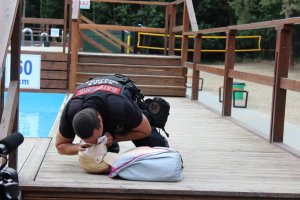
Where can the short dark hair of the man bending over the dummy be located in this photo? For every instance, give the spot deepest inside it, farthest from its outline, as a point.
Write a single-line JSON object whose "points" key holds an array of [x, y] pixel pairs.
{"points": [[85, 121]]}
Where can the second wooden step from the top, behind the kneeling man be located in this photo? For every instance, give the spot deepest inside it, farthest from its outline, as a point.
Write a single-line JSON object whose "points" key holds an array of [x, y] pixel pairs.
{"points": [[130, 69]]}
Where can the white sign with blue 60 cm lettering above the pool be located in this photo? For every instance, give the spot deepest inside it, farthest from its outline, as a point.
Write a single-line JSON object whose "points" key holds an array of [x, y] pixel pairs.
{"points": [[30, 71]]}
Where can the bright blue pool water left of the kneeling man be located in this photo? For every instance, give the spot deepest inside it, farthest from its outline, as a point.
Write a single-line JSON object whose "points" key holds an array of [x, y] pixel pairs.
{"points": [[37, 112]]}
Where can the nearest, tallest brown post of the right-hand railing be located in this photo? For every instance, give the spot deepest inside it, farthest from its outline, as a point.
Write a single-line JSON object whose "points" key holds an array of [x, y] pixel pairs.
{"points": [[282, 61]]}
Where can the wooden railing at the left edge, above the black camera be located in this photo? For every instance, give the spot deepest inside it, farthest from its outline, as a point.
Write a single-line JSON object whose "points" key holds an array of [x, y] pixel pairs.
{"points": [[10, 19]]}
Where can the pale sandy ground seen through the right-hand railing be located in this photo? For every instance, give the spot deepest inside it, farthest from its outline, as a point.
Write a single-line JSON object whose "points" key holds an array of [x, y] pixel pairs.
{"points": [[260, 96]]}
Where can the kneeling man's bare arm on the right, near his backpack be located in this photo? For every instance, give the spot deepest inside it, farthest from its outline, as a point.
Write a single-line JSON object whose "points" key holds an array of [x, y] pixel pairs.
{"points": [[142, 131]]}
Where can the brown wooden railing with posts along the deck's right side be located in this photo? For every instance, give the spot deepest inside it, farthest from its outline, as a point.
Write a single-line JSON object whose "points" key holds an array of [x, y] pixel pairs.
{"points": [[280, 81]]}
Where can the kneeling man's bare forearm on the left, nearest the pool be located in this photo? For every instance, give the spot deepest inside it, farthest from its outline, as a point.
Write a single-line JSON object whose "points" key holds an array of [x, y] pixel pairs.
{"points": [[65, 146]]}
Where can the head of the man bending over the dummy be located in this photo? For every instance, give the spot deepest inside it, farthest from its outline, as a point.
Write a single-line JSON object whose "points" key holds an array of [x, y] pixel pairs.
{"points": [[87, 124]]}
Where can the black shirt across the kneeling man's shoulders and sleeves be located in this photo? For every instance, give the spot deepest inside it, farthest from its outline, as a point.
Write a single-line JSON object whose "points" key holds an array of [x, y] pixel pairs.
{"points": [[118, 112]]}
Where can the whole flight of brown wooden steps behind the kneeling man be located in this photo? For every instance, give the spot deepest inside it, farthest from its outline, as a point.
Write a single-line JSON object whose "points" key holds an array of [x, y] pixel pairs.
{"points": [[156, 75]]}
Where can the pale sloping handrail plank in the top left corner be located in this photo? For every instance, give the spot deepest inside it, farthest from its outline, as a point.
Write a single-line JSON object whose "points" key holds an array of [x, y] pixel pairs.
{"points": [[8, 12]]}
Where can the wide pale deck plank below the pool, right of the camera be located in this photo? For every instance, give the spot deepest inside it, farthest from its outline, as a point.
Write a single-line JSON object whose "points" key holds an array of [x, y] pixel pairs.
{"points": [[29, 170]]}
